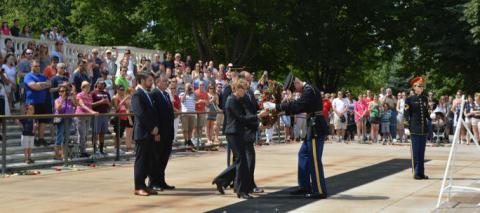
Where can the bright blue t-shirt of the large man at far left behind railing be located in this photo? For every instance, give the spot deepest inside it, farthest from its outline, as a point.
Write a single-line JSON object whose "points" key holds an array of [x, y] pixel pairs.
{"points": [[35, 96]]}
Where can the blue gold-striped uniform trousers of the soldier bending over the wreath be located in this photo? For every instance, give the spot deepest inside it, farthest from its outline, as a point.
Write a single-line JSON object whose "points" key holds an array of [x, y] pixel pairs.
{"points": [[310, 167]]}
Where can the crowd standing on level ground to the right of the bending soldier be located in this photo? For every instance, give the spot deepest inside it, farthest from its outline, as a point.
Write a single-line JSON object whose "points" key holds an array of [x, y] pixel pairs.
{"points": [[379, 117]]}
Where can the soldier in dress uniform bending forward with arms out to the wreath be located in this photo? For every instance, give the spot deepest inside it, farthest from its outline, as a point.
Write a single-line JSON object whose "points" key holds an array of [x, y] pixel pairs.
{"points": [[311, 179]]}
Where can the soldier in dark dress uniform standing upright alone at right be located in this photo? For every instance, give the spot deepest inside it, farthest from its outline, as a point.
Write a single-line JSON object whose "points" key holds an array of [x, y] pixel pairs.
{"points": [[417, 116]]}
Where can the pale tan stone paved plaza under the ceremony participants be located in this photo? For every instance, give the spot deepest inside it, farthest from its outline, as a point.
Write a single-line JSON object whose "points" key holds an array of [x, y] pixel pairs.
{"points": [[360, 178]]}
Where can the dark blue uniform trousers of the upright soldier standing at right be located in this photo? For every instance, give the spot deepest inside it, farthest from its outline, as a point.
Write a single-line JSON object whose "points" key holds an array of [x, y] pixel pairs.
{"points": [[418, 150]]}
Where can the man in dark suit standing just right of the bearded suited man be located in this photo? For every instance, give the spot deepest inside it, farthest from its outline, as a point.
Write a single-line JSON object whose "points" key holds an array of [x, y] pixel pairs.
{"points": [[163, 147]]}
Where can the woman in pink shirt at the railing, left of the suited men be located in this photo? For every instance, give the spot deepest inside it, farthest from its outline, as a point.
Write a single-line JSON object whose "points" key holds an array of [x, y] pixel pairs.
{"points": [[84, 106]]}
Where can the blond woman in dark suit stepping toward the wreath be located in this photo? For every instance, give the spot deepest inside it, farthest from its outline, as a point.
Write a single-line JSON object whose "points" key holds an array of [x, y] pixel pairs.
{"points": [[237, 121]]}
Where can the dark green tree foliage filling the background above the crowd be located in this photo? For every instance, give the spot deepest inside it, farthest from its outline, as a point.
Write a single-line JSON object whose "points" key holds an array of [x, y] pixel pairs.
{"points": [[336, 44]]}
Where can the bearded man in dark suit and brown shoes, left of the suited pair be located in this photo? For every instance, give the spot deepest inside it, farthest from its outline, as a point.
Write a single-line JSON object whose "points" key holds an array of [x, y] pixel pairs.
{"points": [[144, 130]]}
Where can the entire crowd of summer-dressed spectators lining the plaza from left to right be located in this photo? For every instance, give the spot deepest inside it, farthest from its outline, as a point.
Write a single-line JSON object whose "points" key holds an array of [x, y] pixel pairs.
{"points": [[37, 82]]}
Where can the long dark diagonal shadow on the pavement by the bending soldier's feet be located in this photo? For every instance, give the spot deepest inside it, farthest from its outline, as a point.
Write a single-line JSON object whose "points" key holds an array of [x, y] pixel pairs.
{"points": [[282, 201]]}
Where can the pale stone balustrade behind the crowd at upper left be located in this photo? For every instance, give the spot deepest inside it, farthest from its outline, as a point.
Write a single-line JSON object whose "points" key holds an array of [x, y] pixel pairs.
{"points": [[70, 50]]}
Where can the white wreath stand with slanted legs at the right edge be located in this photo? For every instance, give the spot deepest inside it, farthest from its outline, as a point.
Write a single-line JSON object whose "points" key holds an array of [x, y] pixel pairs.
{"points": [[449, 169]]}
